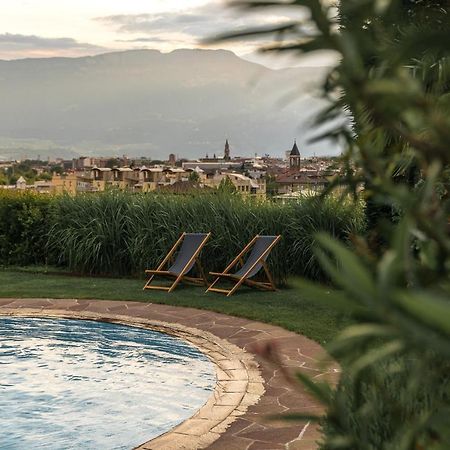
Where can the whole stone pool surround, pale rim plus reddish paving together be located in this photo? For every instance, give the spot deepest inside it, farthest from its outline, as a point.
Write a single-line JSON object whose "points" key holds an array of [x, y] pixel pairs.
{"points": [[248, 390]]}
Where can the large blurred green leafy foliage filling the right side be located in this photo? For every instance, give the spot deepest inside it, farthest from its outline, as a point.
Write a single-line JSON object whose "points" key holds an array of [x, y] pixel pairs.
{"points": [[393, 76]]}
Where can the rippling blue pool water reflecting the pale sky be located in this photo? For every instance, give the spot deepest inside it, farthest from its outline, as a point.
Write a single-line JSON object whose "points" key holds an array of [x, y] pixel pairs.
{"points": [[73, 384]]}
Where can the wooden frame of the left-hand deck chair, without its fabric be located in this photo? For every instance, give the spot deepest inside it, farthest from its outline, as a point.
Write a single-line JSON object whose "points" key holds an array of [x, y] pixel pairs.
{"points": [[181, 276]]}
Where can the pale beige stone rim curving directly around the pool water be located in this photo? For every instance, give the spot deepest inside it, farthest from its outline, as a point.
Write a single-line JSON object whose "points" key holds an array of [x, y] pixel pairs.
{"points": [[239, 382]]}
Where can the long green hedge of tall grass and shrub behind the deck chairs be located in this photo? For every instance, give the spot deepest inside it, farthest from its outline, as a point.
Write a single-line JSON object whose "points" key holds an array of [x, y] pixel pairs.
{"points": [[118, 233]]}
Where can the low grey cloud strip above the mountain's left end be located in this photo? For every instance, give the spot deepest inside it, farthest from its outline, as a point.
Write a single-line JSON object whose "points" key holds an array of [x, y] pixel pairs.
{"points": [[37, 45]]}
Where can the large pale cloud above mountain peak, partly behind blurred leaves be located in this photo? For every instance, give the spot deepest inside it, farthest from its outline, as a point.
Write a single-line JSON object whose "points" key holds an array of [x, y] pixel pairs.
{"points": [[167, 30]]}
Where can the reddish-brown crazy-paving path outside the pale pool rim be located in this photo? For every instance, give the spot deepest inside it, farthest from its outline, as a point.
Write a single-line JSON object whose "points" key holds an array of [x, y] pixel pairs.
{"points": [[252, 431]]}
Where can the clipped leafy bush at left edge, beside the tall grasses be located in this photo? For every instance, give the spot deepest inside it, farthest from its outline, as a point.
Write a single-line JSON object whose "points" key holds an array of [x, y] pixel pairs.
{"points": [[24, 226]]}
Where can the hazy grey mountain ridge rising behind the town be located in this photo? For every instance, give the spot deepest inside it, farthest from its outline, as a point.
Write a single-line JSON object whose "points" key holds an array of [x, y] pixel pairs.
{"points": [[146, 103]]}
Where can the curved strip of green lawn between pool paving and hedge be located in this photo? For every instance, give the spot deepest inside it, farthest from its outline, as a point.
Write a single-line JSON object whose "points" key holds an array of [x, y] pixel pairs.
{"points": [[288, 307]]}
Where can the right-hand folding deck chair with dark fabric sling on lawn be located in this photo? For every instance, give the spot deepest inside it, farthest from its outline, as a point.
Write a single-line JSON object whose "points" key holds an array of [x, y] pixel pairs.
{"points": [[262, 246]]}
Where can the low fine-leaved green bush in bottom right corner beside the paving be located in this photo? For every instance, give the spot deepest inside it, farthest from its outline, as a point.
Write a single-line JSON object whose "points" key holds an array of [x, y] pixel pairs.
{"points": [[381, 410]]}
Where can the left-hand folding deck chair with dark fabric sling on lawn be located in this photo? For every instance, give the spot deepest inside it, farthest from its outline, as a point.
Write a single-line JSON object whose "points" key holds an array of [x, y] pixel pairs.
{"points": [[186, 259]]}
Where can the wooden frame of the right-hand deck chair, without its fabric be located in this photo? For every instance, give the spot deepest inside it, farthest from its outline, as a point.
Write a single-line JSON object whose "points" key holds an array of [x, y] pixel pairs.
{"points": [[268, 285]]}
